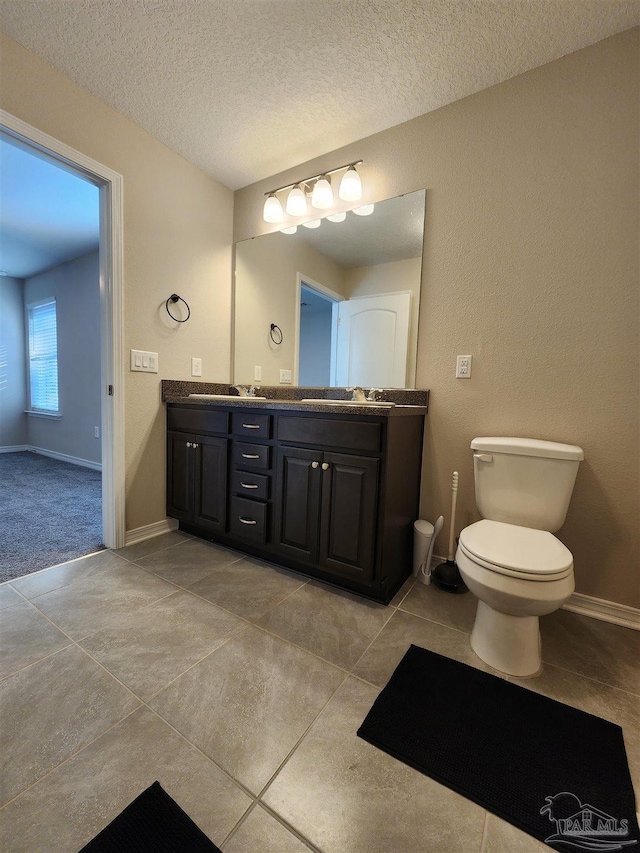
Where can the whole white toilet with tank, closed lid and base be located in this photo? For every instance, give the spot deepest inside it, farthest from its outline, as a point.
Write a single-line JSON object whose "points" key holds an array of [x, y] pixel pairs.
{"points": [[510, 560]]}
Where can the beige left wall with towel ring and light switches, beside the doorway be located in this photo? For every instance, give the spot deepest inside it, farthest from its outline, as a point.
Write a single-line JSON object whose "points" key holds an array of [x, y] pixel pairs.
{"points": [[177, 238]]}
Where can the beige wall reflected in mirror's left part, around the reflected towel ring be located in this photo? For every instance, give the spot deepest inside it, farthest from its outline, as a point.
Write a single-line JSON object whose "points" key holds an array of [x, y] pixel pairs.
{"points": [[266, 281]]}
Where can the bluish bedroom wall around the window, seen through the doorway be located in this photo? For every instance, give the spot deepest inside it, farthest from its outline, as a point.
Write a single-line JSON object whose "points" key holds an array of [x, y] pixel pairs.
{"points": [[76, 289]]}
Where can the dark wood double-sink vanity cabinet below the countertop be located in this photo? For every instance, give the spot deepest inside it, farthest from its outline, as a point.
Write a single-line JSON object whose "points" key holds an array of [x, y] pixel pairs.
{"points": [[333, 496]]}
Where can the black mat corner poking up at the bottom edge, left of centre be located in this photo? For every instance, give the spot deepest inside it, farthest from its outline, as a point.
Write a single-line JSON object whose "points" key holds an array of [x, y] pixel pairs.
{"points": [[152, 823]]}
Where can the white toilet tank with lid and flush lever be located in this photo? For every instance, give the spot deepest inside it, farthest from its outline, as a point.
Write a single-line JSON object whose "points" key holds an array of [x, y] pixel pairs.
{"points": [[524, 481]]}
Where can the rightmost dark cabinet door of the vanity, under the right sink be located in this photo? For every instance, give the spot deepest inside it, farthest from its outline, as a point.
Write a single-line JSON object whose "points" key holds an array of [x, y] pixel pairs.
{"points": [[348, 515]]}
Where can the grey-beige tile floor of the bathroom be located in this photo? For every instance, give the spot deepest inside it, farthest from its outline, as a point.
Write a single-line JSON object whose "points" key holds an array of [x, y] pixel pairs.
{"points": [[240, 687]]}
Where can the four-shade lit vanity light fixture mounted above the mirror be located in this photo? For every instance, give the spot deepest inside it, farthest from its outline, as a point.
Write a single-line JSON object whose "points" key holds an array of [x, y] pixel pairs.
{"points": [[319, 188]]}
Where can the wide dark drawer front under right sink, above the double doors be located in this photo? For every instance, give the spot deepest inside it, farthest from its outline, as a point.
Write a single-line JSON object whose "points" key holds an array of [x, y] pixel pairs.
{"points": [[352, 435]]}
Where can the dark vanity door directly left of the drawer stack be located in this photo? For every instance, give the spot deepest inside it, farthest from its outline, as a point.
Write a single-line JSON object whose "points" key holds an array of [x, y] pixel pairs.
{"points": [[210, 493]]}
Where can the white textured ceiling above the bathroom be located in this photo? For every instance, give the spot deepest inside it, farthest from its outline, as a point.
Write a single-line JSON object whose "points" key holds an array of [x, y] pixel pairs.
{"points": [[248, 88]]}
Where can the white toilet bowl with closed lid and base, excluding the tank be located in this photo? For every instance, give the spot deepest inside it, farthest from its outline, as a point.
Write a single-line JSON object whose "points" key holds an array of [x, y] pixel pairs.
{"points": [[518, 574]]}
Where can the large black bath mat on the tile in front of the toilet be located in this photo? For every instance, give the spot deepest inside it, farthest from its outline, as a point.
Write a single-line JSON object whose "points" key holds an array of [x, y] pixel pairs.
{"points": [[553, 771]]}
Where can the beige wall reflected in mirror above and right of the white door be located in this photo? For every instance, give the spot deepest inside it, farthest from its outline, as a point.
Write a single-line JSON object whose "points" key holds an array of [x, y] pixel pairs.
{"points": [[389, 278]]}
